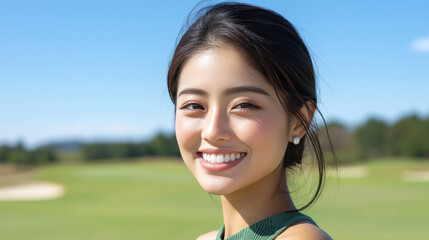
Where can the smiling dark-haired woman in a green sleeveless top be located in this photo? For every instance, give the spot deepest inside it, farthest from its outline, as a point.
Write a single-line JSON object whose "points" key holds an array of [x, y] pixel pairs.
{"points": [[243, 86]]}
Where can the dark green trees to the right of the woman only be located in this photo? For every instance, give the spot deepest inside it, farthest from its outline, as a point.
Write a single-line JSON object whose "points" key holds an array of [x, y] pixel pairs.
{"points": [[408, 137]]}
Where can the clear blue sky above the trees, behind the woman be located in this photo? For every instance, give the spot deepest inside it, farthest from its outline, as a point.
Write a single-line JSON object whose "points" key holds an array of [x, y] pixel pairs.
{"points": [[96, 70]]}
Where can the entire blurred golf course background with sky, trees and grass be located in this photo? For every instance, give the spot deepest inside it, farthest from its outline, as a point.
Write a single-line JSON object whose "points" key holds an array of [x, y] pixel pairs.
{"points": [[87, 145]]}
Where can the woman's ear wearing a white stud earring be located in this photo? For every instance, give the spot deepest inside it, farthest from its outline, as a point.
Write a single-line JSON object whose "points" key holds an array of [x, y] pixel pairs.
{"points": [[298, 129]]}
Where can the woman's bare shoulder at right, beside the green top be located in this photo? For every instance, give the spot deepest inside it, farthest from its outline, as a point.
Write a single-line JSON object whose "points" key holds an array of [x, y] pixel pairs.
{"points": [[303, 231]]}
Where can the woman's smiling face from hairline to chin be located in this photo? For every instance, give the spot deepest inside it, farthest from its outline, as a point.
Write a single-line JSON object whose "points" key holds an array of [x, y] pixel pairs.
{"points": [[230, 126]]}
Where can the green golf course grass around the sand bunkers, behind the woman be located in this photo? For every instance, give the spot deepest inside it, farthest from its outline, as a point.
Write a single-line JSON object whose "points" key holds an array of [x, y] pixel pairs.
{"points": [[161, 200]]}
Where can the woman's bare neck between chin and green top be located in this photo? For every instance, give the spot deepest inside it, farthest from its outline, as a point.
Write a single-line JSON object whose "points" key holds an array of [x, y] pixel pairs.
{"points": [[254, 203]]}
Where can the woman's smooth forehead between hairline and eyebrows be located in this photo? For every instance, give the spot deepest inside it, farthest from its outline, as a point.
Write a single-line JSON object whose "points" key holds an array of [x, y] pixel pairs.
{"points": [[220, 67]]}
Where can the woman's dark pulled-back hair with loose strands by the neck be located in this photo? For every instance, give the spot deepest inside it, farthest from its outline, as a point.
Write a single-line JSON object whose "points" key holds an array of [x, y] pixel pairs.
{"points": [[272, 46]]}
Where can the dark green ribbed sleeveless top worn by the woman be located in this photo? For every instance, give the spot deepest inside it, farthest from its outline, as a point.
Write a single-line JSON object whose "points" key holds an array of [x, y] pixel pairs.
{"points": [[268, 228]]}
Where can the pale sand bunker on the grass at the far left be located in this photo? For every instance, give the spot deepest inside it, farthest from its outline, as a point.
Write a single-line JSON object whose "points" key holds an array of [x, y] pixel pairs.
{"points": [[31, 191]]}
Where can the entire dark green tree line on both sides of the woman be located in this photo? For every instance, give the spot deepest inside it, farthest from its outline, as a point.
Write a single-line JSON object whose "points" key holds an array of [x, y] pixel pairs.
{"points": [[408, 137]]}
